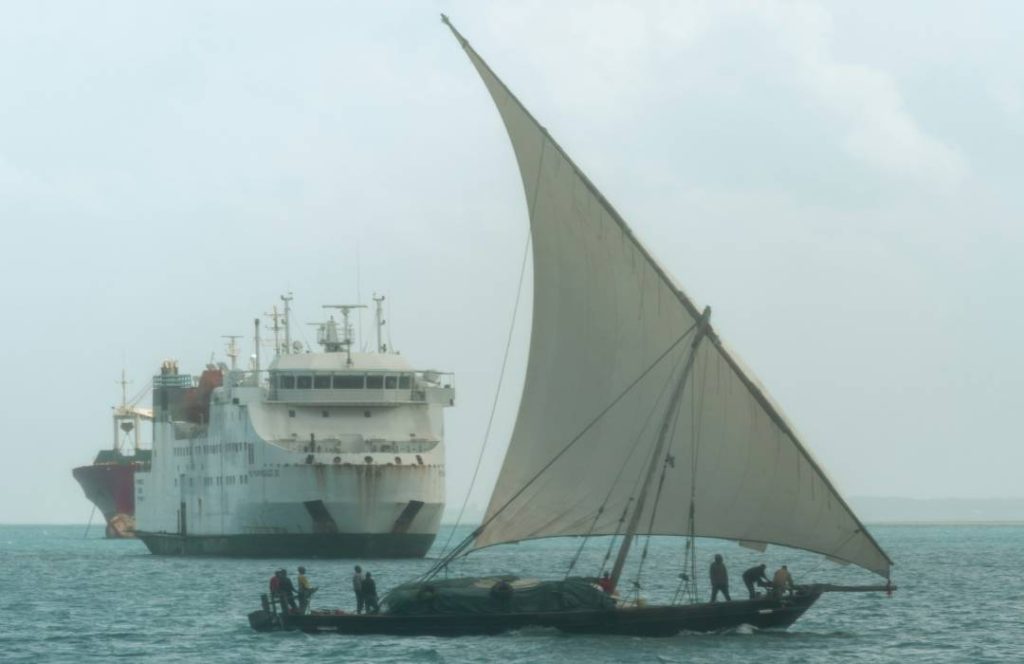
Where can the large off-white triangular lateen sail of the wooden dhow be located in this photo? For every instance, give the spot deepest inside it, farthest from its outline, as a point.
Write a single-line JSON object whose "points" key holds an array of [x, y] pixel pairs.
{"points": [[610, 324]]}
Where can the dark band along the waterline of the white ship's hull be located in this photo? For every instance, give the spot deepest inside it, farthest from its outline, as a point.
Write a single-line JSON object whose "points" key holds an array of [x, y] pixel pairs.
{"points": [[334, 546]]}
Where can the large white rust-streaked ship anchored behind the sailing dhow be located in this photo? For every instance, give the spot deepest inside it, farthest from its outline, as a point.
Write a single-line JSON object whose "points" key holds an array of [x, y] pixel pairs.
{"points": [[334, 453]]}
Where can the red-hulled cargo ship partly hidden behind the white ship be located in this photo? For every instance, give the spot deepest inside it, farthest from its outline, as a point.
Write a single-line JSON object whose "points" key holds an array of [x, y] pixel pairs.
{"points": [[110, 481]]}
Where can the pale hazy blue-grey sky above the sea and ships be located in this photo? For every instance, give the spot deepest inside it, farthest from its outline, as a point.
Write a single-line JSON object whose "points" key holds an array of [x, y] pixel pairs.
{"points": [[840, 182]]}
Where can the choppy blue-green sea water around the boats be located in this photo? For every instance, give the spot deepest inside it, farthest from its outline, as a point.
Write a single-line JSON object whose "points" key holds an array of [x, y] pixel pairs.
{"points": [[73, 599]]}
